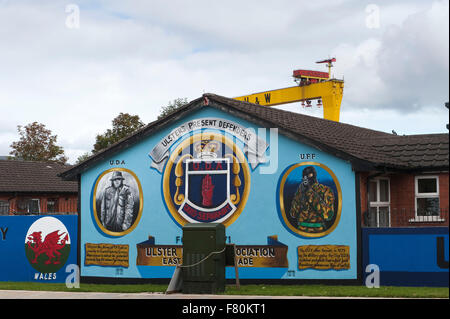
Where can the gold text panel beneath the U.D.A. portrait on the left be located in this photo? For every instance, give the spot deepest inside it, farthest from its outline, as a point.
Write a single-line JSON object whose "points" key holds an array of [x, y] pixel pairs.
{"points": [[107, 255]]}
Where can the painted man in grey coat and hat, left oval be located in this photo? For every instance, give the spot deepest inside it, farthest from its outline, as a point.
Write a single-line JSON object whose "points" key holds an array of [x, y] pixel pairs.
{"points": [[117, 203]]}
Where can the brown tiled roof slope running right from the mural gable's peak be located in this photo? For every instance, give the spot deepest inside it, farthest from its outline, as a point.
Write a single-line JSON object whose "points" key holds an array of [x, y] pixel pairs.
{"points": [[376, 147]]}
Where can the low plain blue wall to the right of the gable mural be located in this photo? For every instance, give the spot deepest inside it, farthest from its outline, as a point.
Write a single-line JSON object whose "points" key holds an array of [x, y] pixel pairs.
{"points": [[408, 256]]}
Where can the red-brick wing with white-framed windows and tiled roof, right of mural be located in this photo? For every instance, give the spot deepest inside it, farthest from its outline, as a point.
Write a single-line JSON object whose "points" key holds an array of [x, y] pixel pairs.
{"points": [[411, 188]]}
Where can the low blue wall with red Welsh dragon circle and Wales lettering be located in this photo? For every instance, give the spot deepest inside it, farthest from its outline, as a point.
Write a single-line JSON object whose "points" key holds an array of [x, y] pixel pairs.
{"points": [[37, 248]]}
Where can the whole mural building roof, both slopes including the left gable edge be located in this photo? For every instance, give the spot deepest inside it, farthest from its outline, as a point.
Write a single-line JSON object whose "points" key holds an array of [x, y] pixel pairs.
{"points": [[366, 149]]}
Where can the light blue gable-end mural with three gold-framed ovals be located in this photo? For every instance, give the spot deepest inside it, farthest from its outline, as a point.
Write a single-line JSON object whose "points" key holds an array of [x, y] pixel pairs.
{"points": [[212, 168]]}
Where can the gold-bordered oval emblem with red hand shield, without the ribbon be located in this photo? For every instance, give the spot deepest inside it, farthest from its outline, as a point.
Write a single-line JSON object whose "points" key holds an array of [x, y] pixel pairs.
{"points": [[206, 180]]}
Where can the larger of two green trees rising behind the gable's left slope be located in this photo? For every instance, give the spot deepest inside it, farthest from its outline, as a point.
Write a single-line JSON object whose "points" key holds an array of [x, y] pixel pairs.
{"points": [[122, 126]]}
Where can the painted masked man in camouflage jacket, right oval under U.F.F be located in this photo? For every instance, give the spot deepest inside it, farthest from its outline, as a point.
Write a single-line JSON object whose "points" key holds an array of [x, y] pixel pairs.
{"points": [[313, 203]]}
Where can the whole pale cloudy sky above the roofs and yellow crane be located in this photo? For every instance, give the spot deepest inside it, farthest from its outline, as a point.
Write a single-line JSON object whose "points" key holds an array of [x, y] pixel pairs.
{"points": [[75, 65]]}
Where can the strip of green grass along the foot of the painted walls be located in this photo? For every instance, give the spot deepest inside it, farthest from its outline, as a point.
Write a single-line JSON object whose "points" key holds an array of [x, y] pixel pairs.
{"points": [[261, 290]]}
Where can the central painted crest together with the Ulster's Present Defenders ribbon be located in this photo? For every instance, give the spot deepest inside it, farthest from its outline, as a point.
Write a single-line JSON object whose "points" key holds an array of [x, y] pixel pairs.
{"points": [[205, 167]]}
